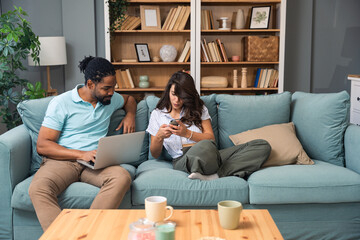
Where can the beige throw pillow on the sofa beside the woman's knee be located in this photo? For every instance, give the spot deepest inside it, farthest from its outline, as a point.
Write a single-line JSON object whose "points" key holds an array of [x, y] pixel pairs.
{"points": [[285, 147]]}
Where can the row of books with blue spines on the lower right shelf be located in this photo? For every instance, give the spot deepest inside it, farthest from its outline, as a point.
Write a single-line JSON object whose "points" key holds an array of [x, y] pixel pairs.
{"points": [[266, 78]]}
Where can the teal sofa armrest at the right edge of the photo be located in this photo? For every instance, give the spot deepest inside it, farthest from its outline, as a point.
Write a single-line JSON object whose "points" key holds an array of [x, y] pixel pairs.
{"points": [[352, 148]]}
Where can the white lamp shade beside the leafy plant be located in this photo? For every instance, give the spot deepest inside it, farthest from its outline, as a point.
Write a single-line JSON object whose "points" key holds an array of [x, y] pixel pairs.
{"points": [[52, 52]]}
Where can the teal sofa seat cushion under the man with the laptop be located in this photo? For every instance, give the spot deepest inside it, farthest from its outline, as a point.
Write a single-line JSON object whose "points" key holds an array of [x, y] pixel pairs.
{"points": [[78, 195]]}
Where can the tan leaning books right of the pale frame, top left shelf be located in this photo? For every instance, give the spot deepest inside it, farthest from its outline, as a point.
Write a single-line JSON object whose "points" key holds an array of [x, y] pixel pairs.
{"points": [[177, 18]]}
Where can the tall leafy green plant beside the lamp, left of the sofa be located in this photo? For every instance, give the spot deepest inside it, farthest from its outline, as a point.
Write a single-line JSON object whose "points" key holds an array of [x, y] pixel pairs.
{"points": [[17, 41]]}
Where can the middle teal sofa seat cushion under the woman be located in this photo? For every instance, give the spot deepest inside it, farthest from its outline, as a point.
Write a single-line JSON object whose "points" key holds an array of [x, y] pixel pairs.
{"points": [[157, 177]]}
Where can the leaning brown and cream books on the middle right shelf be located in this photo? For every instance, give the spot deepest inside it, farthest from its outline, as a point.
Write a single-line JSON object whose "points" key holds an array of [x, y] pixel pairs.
{"points": [[213, 51]]}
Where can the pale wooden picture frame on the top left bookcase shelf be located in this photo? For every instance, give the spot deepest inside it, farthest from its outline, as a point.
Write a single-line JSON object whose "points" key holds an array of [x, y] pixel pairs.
{"points": [[150, 17]]}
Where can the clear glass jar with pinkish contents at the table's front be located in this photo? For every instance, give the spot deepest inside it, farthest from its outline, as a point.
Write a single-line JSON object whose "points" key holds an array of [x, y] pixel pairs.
{"points": [[142, 229]]}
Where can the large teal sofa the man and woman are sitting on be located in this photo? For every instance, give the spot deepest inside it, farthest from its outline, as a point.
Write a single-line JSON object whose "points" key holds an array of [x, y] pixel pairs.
{"points": [[320, 201]]}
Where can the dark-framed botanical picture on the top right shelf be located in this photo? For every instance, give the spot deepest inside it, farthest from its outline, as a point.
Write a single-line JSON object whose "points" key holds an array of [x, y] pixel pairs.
{"points": [[260, 17]]}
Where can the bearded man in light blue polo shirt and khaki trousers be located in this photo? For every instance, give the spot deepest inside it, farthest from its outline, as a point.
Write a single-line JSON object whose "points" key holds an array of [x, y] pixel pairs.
{"points": [[73, 124]]}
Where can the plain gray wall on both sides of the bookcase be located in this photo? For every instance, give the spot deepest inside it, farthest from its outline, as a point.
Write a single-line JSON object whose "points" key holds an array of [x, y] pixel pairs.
{"points": [[322, 40]]}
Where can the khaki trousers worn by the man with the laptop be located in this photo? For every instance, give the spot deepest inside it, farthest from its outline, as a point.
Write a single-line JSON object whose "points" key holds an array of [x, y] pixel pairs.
{"points": [[54, 176]]}
